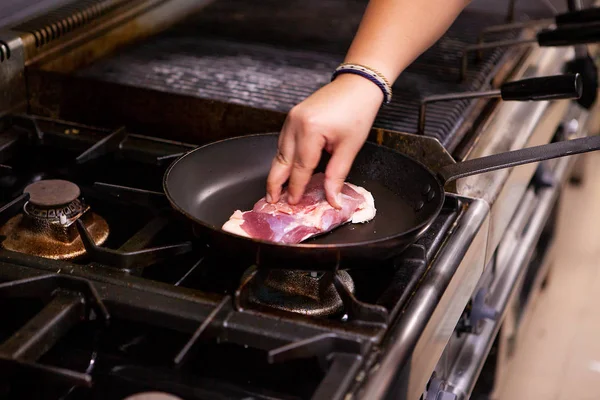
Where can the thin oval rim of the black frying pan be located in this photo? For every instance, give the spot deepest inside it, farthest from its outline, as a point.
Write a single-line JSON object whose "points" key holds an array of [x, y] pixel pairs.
{"points": [[418, 229]]}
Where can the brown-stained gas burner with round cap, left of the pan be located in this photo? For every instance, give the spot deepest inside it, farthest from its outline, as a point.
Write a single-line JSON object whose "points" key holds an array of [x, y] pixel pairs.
{"points": [[47, 228]]}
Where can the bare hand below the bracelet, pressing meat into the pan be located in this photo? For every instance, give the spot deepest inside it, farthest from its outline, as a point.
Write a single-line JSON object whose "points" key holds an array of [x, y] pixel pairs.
{"points": [[337, 118]]}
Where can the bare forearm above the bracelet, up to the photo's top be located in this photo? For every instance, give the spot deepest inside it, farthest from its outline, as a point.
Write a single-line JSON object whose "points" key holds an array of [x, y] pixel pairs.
{"points": [[393, 33]]}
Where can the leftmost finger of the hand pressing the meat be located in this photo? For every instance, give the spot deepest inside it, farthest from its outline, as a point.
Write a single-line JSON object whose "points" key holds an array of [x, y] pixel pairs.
{"points": [[282, 164]]}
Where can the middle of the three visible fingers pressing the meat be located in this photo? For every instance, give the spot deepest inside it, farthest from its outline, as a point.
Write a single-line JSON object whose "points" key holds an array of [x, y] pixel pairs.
{"points": [[306, 158]]}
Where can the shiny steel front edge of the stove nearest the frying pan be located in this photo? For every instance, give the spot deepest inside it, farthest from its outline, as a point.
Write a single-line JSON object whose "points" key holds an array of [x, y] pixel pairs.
{"points": [[416, 341]]}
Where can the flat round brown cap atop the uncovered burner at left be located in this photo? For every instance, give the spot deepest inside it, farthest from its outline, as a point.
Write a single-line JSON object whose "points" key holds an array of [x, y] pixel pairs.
{"points": [[52, 192]]}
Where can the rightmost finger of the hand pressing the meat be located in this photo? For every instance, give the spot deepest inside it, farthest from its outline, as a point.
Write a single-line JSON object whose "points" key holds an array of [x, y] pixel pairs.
{"points": [[337, 170]]}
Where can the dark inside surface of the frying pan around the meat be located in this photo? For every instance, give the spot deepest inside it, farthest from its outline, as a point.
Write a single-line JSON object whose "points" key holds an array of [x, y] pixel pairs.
{"points": [[211, 182]]}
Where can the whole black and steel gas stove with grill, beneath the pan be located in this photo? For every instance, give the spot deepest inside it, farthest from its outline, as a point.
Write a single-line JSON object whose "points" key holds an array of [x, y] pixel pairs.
{"points": [[114, 294]]}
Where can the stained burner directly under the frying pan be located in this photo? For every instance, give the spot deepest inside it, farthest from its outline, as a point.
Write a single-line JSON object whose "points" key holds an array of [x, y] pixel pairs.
{"points": [[308, 293]]}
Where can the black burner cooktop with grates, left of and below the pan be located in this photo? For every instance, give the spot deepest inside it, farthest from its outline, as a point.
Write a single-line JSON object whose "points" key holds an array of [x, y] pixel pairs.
{"points": [[150, 308]]}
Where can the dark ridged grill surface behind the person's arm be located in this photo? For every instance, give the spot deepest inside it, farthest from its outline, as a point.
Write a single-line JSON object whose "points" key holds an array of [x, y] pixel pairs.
{"points": [[271, 55]]}
